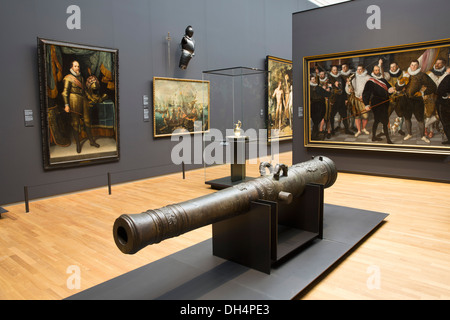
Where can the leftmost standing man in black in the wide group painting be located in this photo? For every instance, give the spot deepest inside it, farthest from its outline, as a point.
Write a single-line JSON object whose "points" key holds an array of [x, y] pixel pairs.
{"points": [[318, 105]]}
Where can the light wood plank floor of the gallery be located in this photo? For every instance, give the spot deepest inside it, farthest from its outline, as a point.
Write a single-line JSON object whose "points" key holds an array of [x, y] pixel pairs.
{"points": [[408, 257]]}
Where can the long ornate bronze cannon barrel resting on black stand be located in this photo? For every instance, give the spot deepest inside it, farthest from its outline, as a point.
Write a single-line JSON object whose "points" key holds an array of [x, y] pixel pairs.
{"points": [[132, 232]]}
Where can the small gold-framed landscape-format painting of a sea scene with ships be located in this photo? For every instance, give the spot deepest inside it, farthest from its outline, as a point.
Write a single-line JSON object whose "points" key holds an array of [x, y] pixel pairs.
{"points": [[180, 106]]}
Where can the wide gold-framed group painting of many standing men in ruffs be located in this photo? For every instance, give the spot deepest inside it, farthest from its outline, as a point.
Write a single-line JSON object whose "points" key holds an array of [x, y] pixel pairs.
{"points": [[389, 99]]}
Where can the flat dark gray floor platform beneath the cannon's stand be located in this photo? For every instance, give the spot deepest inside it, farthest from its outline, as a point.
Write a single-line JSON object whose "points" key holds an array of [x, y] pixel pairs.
{"points": [[195, 274]]}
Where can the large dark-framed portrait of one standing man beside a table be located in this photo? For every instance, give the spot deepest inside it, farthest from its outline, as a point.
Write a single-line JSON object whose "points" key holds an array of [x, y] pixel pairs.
{"points": [[79, 104]]}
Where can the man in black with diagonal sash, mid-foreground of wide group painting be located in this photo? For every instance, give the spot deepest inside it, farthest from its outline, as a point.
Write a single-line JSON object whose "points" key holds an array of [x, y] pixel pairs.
{"points": [[376, 98]]}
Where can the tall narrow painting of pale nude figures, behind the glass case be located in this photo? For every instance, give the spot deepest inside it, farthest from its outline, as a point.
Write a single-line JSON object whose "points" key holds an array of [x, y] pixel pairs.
{"points": [[279, 98]]}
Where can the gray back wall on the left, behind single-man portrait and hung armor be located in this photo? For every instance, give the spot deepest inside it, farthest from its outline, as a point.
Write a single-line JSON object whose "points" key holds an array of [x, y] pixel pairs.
{"points": [[227, 33]]}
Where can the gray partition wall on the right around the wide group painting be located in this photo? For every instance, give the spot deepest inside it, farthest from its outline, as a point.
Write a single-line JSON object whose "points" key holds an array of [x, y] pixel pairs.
{"points": [[342, 28]]}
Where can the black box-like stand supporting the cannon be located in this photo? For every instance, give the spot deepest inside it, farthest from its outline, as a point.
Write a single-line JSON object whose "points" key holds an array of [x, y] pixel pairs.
{"points": [[271, 232]]}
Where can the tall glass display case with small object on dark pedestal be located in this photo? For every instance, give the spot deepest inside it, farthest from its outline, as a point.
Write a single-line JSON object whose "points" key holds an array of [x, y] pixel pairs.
{"points": [[237, 140]]}
